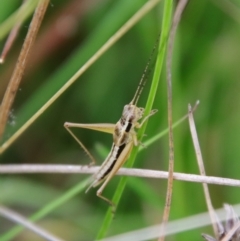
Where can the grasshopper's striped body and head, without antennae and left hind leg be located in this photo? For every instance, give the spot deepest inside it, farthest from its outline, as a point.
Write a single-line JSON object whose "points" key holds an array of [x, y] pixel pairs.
{"points": [[124, 137]]}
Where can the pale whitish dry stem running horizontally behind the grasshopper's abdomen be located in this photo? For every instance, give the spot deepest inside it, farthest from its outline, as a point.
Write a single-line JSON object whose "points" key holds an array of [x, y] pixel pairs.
{"points": [[78, 169]]}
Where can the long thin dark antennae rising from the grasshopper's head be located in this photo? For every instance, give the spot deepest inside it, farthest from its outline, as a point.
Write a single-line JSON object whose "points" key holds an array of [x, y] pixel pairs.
{"points": [[144, 78]]}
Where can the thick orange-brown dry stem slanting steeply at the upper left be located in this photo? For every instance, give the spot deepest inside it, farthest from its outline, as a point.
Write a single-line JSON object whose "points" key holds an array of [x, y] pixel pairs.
{"points": [[14, 83]]}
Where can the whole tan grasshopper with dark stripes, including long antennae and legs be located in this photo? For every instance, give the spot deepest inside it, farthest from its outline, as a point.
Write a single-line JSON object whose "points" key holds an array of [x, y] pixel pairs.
{"points": [[124, 138]]}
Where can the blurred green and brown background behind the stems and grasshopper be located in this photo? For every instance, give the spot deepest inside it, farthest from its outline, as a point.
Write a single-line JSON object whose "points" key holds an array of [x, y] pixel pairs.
{"points": [[205, 67]]}
